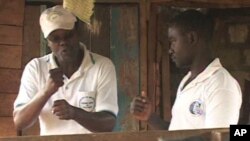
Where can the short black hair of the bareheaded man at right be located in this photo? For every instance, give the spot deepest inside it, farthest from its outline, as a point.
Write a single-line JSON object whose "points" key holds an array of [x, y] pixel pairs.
{"points": [[194, 20]]}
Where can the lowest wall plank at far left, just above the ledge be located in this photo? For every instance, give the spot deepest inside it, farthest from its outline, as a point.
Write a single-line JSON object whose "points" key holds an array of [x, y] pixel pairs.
{"points": [[7, 127]]}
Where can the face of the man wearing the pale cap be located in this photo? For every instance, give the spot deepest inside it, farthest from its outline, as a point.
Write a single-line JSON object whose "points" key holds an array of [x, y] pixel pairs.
{"points": [[64, 44]]}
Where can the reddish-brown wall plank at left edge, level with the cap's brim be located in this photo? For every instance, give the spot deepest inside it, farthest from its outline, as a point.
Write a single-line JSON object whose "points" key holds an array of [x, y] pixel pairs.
{"points": [[11, 35]]}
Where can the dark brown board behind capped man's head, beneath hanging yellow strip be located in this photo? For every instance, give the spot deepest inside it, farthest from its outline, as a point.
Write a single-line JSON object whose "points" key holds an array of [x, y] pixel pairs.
{"points": [[100, 35]]}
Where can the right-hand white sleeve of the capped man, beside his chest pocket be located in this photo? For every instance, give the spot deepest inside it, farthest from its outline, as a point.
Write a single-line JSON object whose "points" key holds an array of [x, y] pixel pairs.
{"points": [[106, 99]]}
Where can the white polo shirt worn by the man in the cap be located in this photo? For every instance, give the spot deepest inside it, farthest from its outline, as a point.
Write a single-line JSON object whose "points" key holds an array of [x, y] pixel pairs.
{"points": [[93, 87]]}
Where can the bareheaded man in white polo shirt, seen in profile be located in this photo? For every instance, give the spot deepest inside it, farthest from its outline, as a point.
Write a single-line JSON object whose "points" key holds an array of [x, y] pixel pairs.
{"points": [[208, 96]]}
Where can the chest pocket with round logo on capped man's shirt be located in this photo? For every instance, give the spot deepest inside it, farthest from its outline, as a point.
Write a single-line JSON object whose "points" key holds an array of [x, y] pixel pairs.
{"points": [[87, 101]]}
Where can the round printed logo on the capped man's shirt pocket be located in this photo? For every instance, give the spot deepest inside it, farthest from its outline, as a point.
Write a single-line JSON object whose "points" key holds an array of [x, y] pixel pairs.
{"points": [[87, 103]]}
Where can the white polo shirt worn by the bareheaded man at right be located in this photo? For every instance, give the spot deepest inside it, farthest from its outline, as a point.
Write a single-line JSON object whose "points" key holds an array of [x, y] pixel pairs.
{"points": [[212, 100]]}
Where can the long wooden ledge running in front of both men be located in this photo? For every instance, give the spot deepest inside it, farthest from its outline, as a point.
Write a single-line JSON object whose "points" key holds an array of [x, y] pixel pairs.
{"points": [[205, 134]]}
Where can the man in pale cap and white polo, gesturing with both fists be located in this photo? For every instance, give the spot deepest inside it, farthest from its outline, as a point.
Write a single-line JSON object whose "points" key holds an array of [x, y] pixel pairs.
{"points": [[71, 90]]}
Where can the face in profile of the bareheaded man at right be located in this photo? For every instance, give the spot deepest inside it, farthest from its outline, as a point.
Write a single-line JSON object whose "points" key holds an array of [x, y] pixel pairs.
{"points": [[180, 48]]}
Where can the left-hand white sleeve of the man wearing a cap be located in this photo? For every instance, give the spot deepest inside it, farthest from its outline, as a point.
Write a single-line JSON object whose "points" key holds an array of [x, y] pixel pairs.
{"points": [[28, 87]]}
